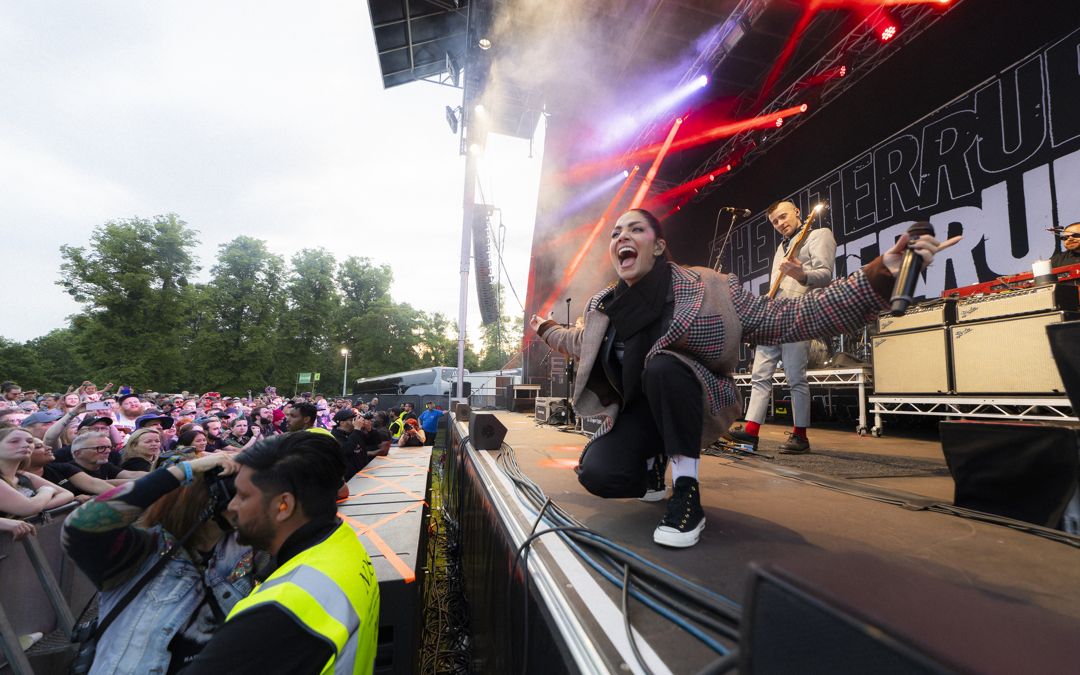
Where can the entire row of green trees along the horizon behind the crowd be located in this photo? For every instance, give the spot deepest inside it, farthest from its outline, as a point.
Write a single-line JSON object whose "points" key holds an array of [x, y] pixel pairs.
{"points": [[258, 322]]}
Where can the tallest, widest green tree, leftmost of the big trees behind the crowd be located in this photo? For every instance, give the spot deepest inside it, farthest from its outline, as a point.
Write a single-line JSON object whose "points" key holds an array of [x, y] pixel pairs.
{"points": [[132, 281]]}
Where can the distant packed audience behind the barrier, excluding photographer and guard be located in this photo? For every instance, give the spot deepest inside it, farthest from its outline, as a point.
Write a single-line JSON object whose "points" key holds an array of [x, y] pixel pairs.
{"points": [[83, 443]]}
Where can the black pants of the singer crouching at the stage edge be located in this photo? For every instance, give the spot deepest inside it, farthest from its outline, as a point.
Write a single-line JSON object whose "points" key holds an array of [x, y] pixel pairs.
{"points": [[667, 421]]}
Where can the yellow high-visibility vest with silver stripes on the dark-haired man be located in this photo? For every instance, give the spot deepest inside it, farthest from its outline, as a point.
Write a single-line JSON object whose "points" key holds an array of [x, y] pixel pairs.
{"points": [[332, 590]]}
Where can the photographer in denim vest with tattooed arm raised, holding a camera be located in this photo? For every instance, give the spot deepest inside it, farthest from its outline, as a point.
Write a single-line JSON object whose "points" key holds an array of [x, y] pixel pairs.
{"points": [[168, 565]]}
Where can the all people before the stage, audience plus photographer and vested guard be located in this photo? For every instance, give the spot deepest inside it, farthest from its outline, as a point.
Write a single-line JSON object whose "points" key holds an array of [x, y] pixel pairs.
{"points": [[146, 467]]}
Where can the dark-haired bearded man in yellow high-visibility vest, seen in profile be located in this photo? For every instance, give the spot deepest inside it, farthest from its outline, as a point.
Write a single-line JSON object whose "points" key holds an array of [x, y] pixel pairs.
{"points": [[319, 612]]}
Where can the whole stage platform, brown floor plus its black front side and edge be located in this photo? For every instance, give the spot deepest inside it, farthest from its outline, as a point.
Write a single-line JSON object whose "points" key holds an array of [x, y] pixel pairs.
{"points": [[758, 511]]}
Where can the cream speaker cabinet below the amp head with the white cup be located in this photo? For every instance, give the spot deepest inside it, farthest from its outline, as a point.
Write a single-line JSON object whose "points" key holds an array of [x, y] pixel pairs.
{"points": [[1006, 356]]}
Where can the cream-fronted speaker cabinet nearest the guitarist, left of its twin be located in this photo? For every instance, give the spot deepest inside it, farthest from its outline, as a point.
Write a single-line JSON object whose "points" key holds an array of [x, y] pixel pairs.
{"points": [[912, 363]]}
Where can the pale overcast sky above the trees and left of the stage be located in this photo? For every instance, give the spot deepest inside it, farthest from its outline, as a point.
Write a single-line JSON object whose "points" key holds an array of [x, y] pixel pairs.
{"points": [[261, 118]]}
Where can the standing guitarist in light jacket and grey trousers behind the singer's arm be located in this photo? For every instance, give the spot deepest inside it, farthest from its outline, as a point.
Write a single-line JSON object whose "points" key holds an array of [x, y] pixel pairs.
{"points": [[811, 267]]}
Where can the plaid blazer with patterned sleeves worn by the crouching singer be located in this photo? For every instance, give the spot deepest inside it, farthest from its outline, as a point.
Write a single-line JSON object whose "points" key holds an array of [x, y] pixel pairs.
{"points": [[713, 314]]}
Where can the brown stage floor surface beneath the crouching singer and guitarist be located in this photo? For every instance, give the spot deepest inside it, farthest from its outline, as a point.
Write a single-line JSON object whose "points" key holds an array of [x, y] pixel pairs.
{"points": [[760, 511]]}
